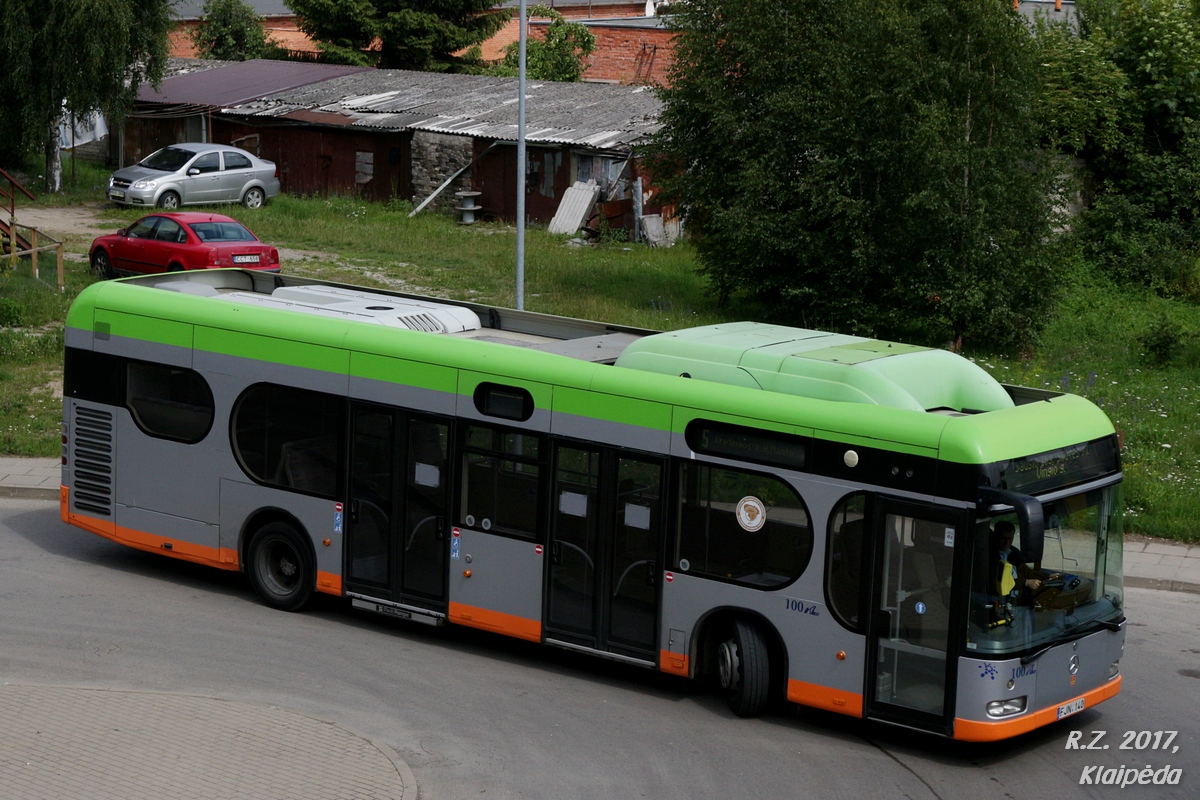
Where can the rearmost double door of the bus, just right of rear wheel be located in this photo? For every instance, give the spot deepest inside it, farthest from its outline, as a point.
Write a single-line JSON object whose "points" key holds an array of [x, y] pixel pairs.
{"points": [[398, 512]]}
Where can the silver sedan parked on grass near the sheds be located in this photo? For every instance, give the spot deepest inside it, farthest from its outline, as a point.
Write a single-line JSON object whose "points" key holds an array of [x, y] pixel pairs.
{"points": [[195, 175]]}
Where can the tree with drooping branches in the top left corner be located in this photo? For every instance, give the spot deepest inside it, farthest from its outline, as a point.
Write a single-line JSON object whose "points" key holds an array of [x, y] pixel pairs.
{"points": [[76, 57]]}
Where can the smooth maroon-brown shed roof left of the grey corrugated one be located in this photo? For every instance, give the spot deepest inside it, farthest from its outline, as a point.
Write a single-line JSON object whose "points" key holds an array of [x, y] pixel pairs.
{"points": [[238, 82]]}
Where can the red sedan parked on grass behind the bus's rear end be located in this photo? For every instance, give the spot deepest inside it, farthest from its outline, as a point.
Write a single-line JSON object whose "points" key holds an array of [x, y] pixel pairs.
{"points": [[175, 242]]}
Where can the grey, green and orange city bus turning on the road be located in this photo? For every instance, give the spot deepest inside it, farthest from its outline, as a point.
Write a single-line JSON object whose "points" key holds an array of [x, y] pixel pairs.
{"points": [[793, 516]]}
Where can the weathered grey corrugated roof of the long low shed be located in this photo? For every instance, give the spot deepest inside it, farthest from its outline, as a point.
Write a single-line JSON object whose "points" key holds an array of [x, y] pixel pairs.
{"points": [[604, 117]]}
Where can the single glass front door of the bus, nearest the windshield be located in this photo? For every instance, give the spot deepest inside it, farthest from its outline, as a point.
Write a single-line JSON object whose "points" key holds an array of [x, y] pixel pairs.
{"points": [[911, 670]]}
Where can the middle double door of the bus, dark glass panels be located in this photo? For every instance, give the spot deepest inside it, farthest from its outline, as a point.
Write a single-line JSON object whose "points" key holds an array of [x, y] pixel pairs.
{"points": [[604, 546]]}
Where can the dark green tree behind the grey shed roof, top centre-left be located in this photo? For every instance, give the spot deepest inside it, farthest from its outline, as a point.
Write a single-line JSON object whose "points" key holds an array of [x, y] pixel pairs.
{"points": [[399, 34]]}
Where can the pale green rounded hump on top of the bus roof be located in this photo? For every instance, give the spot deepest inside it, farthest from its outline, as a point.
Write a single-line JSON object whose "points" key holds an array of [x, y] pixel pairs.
{"points": [[823, 366]]}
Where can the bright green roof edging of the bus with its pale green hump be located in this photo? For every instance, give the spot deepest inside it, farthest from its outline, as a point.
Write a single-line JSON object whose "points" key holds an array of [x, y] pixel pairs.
{"points": [[839, 381]]}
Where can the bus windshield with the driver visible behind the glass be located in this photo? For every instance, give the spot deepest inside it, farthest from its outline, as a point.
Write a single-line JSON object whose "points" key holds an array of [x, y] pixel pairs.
{"points": [[1018, 605]]}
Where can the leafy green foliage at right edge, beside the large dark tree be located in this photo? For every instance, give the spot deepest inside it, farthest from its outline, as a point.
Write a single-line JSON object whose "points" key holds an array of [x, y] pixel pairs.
{"points": [[1143, 227]]}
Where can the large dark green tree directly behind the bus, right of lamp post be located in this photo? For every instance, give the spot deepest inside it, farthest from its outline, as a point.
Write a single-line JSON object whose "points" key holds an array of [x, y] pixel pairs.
{"points": [[865, 166]]}
